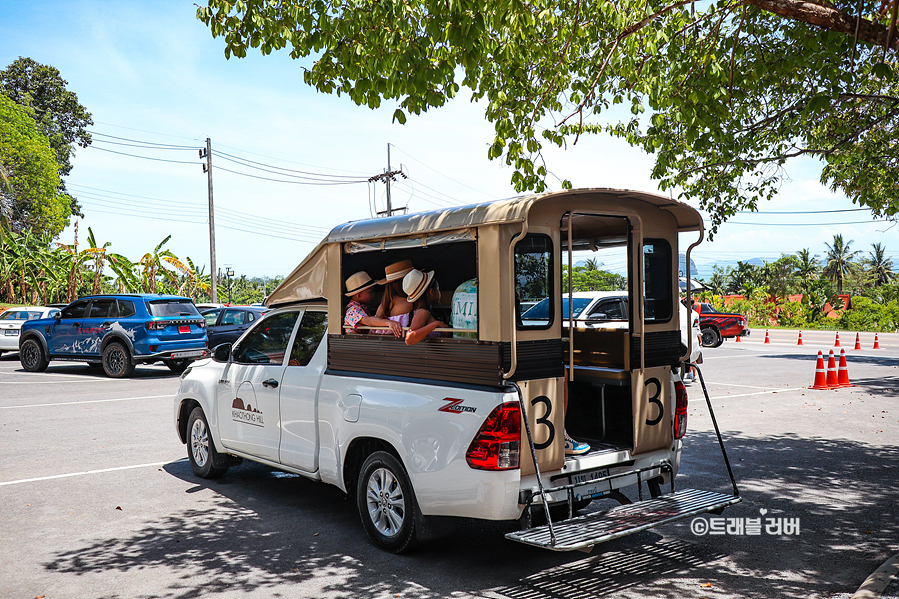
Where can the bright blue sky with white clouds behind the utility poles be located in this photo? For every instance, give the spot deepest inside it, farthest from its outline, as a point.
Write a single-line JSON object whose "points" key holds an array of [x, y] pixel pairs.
{"points": [[158, 85]]}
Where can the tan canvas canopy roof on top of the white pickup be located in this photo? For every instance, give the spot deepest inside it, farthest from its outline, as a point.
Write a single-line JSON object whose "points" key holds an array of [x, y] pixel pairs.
{"points": [[308, 280]]}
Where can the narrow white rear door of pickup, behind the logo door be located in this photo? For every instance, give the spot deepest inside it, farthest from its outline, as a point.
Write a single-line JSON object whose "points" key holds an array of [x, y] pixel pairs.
{"points": [[299, 414]]}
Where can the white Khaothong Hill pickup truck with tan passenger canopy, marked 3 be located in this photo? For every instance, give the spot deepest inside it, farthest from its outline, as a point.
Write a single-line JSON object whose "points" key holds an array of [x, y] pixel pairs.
{"points": [[467, 425]]}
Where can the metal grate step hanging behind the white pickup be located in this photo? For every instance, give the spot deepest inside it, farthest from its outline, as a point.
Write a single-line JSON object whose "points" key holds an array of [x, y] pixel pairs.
{"points": [[586, 531]]}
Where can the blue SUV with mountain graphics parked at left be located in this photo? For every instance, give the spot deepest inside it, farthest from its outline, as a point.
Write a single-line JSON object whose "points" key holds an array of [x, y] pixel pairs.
{"points": [[117, 331]]}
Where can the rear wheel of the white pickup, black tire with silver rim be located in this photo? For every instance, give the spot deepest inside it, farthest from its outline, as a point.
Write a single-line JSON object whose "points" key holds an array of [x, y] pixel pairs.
{"points": [[387, 503]]}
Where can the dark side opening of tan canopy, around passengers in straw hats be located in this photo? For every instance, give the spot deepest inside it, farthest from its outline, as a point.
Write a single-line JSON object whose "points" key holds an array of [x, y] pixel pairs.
{"points": [[454, 265]]}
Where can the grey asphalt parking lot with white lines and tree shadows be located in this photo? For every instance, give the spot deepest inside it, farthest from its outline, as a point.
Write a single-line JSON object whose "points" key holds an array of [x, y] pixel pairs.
{"points": [[98, 500]]}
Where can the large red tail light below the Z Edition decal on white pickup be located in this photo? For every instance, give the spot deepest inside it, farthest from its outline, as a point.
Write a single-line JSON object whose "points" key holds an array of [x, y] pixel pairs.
{"points": [[496, 446]]}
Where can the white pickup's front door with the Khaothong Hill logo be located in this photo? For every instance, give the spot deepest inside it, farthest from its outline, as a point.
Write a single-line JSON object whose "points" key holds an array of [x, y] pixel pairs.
{"points": [[249, 393]]}
